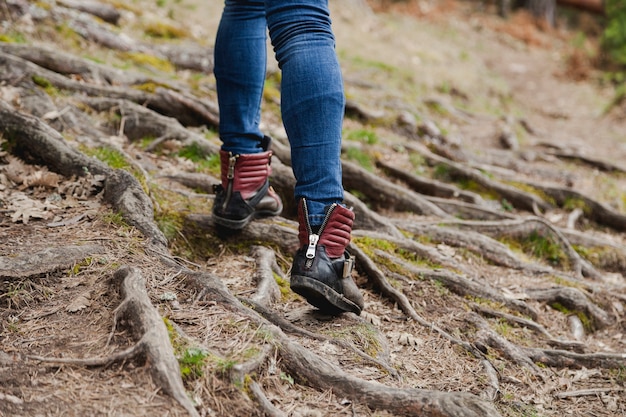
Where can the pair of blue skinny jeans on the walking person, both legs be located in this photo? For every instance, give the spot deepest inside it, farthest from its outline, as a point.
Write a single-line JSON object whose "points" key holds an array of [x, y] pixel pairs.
{"points": [[312, 95]]}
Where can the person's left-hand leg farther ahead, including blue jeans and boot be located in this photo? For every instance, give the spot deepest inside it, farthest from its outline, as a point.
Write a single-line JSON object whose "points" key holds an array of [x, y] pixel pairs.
{"points": [[240, 64]]}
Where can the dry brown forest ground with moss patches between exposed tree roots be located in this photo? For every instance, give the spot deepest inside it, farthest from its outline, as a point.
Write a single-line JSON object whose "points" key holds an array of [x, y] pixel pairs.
{"points": [[503, 97]]}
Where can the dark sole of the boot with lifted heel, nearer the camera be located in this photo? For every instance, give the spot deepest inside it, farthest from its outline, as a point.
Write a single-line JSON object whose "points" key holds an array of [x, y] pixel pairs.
{"points": [[322, 296]]}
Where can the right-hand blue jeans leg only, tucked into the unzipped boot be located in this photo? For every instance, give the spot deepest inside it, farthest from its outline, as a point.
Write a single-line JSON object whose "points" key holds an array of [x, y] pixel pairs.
{"points": [[312, 98]]}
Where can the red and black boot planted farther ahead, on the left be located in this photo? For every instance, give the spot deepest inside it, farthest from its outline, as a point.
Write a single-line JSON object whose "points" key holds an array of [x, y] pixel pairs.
{"points": [[245, 193]]}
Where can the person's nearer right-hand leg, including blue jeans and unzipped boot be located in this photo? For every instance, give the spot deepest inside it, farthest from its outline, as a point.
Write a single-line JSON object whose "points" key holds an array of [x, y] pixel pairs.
{"points": [[312, 106]]}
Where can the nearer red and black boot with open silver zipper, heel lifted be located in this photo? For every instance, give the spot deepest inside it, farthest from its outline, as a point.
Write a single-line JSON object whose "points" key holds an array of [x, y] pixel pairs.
{"points": [[322, 268]]}
